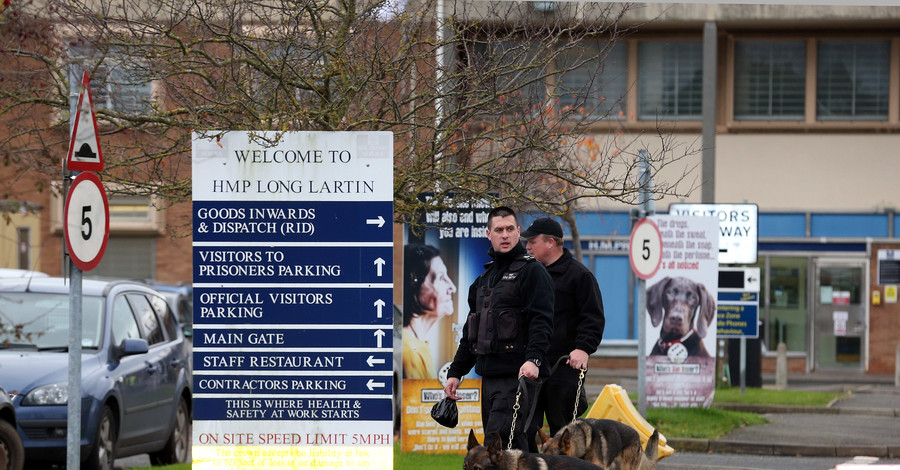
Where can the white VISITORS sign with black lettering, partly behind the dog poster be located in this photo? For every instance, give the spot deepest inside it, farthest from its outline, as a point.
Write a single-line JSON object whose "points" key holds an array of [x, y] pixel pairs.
{"points": [[738, 228]]}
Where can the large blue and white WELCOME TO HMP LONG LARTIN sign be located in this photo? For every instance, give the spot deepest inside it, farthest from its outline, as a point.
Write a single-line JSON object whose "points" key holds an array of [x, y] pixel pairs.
{"points": [[292, 252]]}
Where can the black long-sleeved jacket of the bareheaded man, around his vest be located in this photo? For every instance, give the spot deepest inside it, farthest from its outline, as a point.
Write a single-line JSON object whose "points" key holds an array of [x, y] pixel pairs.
{"points": [[537, 308]]}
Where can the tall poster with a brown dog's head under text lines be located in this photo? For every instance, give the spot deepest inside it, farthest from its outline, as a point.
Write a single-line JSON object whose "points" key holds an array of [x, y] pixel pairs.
{"points": [[681, 310]]}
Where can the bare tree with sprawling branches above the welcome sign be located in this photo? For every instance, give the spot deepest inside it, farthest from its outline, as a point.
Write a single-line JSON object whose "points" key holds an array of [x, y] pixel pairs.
{"points": [[476, 98]]}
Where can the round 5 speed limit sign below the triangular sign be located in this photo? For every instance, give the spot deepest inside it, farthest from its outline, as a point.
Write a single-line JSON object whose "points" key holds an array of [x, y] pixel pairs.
{"points": [[87, 221]]}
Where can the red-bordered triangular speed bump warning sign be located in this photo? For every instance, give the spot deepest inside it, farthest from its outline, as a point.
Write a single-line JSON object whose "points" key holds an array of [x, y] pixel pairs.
{"points": [[84, 149]]}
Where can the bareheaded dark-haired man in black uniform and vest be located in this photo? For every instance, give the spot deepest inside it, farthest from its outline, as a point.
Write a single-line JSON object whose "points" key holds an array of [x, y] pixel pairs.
{"points": [[507, 332]]}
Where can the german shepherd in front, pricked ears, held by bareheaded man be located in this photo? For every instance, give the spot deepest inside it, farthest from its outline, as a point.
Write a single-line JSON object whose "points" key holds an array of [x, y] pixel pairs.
{"points": [[493, 457]]}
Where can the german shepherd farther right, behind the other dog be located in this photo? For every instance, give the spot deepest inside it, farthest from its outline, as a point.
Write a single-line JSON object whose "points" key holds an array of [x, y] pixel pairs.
{"points": [[604, 442]]}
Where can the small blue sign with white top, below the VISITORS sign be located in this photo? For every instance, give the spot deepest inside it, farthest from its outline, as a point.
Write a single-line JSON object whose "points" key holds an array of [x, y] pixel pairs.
{"points": [[737, 312]]}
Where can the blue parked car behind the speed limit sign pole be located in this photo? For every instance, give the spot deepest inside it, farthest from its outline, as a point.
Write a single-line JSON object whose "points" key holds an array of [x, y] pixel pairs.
{"points": [[136, 376]]}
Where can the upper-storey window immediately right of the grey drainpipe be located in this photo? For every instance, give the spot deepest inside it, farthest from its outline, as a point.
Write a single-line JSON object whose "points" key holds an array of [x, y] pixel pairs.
{"points": [[770, 80]]}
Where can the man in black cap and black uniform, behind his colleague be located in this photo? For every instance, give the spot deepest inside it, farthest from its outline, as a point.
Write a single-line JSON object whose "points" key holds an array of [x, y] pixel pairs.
{"points": [[578, 327]]}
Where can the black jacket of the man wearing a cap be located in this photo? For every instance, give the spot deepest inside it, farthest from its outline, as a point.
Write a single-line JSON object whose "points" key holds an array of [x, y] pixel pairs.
{"points": [[578, 312]]}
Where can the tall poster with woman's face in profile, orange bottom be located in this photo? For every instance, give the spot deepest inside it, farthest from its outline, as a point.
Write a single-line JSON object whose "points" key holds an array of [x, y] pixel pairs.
{"points": [[438, 268]]}
